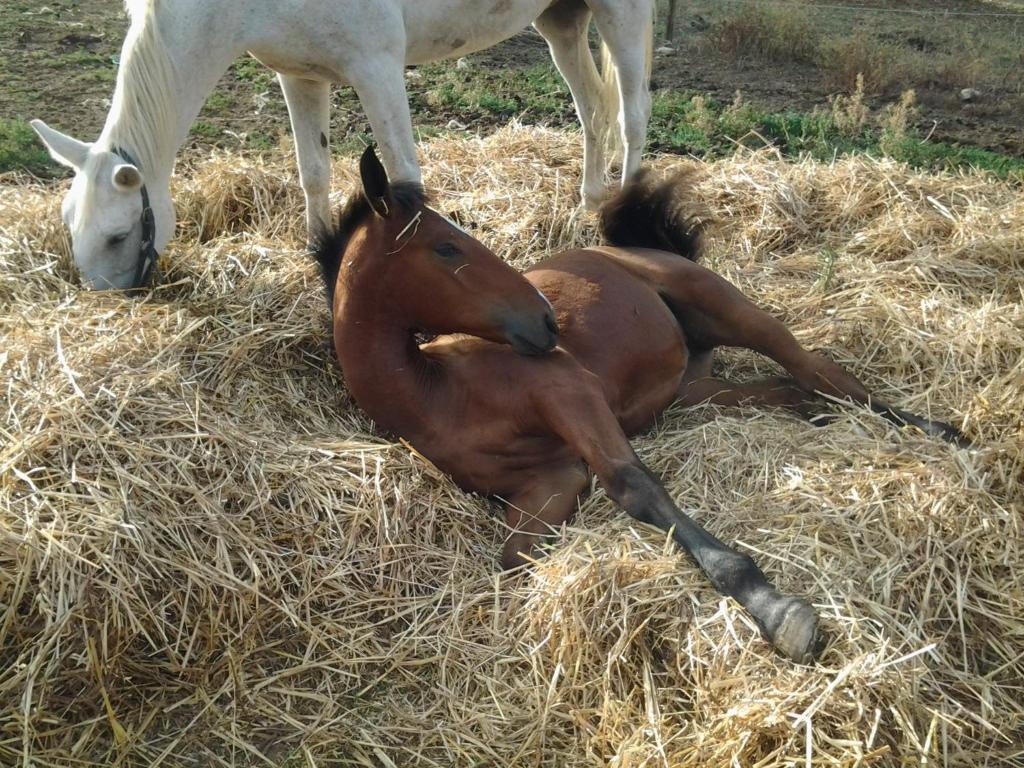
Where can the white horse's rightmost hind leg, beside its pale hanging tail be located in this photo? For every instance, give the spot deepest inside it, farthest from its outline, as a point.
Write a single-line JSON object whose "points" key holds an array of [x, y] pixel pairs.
{"points": [[626, 29]]}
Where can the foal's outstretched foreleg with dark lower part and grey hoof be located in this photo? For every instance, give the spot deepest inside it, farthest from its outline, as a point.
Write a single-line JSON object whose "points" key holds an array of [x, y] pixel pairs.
{"points": [[587, 424]]}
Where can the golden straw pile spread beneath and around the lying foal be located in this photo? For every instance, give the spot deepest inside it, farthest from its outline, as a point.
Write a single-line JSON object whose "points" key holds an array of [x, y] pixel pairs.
{"points": [[208, 558]]}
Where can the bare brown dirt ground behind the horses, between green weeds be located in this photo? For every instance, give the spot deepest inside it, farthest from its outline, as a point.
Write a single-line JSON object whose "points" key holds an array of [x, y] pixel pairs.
{"points": [[59, 63]]}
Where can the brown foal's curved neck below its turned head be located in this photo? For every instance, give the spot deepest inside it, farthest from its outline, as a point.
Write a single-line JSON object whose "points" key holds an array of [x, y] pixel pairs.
{"points": [[388, 374]]}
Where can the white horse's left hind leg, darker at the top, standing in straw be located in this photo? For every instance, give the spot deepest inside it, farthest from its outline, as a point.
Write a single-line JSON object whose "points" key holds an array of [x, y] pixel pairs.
{"points": [[565, 27]]}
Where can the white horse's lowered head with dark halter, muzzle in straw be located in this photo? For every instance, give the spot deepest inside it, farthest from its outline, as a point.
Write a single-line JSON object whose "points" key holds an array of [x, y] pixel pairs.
{"points": [[118, 225]]}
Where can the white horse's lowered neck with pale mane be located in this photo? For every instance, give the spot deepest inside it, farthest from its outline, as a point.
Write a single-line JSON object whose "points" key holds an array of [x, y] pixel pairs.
{"points": [[170, 62]]}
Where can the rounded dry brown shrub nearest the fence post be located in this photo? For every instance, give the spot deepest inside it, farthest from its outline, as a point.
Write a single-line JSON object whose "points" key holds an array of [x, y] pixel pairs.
{"points": [[782, 34]]}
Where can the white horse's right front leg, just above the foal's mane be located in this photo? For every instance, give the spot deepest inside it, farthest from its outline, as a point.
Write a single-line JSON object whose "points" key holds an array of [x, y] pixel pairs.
{"points": [[380, 86]]}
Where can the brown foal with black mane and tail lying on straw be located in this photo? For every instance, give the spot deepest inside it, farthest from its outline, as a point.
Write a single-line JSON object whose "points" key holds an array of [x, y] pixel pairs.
{"points": [[537, 396]]}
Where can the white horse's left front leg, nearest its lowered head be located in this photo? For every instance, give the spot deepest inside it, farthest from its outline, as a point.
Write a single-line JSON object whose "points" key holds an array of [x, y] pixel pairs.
{"points": [[309, 102]]}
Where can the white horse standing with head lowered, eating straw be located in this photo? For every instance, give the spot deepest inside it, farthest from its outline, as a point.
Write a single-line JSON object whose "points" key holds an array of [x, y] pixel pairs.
{"points": [[119, 209]]}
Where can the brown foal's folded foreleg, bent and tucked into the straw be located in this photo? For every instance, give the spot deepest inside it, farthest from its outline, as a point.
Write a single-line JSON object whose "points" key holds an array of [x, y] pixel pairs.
{"points": [[548, 500]]}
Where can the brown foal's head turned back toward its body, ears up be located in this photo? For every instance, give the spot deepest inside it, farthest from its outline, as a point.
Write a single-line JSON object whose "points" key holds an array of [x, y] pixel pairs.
{"points": [[429, 273]]}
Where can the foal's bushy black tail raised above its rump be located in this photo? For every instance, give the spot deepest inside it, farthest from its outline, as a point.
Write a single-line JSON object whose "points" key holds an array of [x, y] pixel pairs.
{"points": [[655, 214]]}
